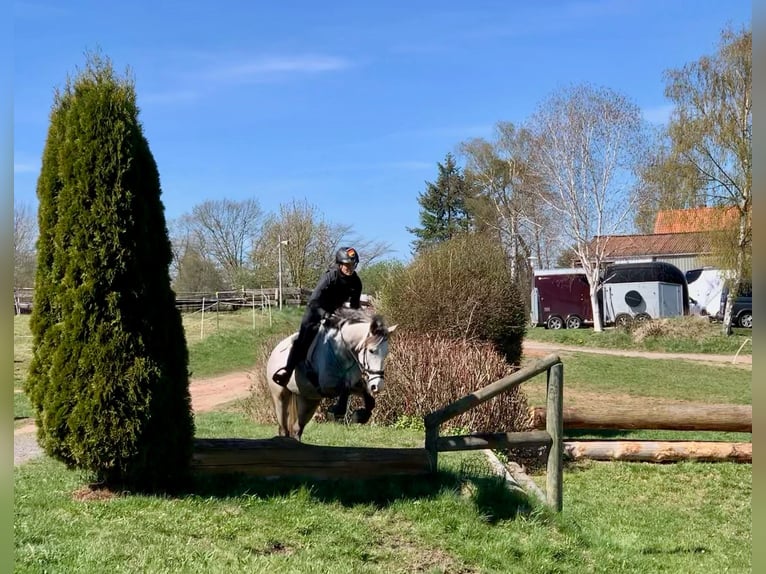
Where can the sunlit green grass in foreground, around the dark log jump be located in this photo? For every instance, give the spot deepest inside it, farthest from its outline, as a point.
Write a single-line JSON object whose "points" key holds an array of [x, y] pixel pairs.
{"points": [[618, 517]]}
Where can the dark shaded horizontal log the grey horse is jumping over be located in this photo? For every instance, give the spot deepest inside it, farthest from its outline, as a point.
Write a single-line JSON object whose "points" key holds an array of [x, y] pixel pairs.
{"points": [[286, 457]]}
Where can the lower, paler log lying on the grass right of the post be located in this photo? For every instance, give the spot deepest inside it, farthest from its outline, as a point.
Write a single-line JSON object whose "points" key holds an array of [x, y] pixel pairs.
{"points": [[659, 451]]}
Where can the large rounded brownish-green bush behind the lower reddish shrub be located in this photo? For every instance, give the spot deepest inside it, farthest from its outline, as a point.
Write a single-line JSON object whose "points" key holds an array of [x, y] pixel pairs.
{"points": [[459, 289]]}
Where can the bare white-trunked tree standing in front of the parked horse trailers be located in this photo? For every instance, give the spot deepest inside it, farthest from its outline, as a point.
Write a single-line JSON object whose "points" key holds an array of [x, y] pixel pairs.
{"points": [[590, 143]]}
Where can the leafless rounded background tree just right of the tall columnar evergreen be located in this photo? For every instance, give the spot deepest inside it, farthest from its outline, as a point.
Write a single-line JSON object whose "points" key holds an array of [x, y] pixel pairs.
{"points": [[224, 231]]}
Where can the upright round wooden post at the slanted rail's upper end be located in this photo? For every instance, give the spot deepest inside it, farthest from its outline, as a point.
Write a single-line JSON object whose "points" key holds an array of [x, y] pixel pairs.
{"points": [[554, 424]]}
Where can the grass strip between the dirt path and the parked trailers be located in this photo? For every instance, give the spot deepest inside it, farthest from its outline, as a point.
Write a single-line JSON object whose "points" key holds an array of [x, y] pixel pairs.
{"points": [[685, 335]]}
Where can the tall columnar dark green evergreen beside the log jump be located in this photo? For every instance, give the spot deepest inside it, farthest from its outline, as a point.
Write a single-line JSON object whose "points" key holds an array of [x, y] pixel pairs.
{"points": [[108, 378]]}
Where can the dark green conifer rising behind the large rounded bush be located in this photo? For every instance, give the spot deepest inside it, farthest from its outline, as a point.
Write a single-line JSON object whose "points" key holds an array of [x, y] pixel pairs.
{"points": [[443, 213]]}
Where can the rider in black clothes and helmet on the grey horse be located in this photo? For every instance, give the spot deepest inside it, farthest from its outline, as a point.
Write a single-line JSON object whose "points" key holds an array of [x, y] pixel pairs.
{"points": [[338, 284]]}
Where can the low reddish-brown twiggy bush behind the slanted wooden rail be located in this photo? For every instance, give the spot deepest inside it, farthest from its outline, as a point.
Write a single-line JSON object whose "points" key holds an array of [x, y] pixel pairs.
{"points": [[427, 372]]}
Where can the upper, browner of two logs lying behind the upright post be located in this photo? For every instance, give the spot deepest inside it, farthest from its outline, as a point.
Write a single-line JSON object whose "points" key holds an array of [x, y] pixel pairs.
{"points": [[731, 418]]}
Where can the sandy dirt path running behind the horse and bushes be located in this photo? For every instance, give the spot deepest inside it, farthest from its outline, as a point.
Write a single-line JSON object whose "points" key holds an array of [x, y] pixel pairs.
{"points": [[208, 394]]}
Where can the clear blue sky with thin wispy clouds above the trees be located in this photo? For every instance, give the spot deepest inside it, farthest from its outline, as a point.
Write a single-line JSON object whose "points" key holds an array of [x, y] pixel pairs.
{"points": [[347, 105]]}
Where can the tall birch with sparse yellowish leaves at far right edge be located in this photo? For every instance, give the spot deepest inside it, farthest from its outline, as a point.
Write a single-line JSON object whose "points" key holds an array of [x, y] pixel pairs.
{"points": [[711, 133]]}
